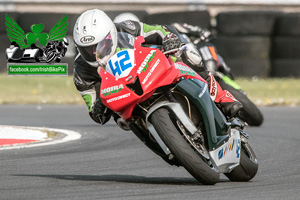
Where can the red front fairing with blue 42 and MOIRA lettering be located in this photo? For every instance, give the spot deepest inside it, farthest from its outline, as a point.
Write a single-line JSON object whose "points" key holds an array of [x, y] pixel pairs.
{"points": [[132, 76]]}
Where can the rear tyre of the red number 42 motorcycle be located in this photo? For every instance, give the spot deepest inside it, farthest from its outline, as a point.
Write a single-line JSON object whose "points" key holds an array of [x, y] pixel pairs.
{"points": [[248, 165]]}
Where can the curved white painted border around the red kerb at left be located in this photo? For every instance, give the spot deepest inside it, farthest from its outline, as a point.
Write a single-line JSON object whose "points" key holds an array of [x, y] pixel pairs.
{"points": [[70, 136]]}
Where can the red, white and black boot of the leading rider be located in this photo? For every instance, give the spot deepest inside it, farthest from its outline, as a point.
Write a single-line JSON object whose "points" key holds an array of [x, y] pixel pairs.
{"points": [[224, 99]]}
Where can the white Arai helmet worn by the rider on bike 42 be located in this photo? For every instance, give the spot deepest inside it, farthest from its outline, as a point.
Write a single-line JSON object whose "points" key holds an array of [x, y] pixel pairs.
{"points": [[95, 36]]}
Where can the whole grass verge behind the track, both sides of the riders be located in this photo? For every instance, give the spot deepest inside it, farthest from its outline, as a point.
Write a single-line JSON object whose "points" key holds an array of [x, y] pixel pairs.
{"points": [[61, 90]]}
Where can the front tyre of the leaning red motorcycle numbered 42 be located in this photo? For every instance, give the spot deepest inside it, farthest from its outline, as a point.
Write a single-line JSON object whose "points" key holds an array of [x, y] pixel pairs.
{"points": [[200, 167]]}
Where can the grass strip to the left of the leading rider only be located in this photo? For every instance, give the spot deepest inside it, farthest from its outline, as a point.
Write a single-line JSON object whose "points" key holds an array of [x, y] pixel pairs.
{"points": [[38, 90]]}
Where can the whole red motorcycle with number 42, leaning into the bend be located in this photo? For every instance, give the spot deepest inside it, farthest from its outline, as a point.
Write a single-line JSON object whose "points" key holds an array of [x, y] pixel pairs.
{"points": [[168, 107]]}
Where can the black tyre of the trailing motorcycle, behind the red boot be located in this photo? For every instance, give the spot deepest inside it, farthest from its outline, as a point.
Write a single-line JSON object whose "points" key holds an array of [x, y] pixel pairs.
{"points": [[250, 113]]}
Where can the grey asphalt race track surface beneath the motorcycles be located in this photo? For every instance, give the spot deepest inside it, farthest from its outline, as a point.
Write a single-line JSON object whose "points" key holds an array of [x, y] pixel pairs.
{"points": [[109, 163]]}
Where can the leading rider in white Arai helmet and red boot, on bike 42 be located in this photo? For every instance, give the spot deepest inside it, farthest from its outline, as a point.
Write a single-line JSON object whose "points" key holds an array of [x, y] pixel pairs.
{"points": [[95, 36]]}
